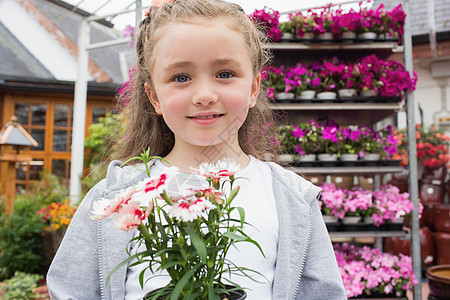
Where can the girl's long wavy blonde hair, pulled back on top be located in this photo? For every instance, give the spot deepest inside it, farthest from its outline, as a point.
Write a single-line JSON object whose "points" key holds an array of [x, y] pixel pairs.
{"points": [[144, 128]]}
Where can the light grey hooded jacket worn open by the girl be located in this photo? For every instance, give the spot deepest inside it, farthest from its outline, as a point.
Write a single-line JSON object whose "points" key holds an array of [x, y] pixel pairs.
{"points": [[306, 266]]}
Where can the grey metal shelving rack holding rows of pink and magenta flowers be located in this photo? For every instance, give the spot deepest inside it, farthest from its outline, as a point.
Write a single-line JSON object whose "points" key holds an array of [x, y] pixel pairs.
{"points": [[363, 113]]}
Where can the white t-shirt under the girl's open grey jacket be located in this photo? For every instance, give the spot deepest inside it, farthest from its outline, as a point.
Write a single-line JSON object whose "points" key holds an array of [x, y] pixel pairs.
{"points": [[257, 199]]}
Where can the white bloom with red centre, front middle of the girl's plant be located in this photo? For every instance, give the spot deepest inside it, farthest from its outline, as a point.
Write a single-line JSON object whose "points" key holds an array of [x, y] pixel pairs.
{"points": [[189, 209]]}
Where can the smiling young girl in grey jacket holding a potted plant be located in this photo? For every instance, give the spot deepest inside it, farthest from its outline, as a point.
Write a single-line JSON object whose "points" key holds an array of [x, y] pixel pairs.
{"points": [[197, 97]]}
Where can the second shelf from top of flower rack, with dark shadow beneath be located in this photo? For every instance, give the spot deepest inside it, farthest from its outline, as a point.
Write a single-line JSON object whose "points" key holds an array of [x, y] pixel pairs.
{"points": [[361, 113]]}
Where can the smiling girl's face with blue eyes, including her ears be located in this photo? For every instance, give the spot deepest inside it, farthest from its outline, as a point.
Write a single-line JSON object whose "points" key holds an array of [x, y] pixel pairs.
{"points": [[202, 82]]}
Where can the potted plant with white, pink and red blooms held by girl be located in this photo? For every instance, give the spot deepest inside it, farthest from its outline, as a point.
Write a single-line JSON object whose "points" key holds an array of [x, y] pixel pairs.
{"points": [[187, 234]]}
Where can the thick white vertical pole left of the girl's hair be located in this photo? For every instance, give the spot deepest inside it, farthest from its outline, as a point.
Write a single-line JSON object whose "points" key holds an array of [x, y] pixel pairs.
{"points": [[79, 113]]}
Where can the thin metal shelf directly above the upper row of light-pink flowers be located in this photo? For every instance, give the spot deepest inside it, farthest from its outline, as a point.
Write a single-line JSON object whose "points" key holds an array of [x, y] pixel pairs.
{"points": [[354, 170]]}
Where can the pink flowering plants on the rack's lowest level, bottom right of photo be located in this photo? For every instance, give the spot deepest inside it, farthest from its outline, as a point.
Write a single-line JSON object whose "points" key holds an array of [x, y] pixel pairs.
{"points": [[369, 272]]}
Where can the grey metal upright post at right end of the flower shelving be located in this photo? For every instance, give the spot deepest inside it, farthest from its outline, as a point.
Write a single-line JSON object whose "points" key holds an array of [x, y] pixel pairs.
{"points": [[412, 158]]}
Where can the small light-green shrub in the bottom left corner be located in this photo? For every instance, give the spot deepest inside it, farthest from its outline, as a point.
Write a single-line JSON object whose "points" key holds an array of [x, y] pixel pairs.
{"points": [[21, 286]]}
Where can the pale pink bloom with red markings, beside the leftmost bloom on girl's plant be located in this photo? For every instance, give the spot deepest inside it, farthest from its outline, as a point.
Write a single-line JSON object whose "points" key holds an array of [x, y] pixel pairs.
{"points": [[130, 215]]}
